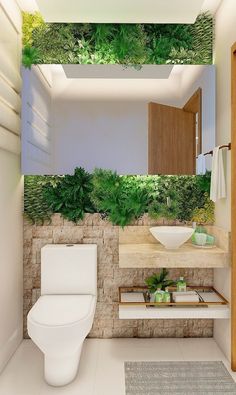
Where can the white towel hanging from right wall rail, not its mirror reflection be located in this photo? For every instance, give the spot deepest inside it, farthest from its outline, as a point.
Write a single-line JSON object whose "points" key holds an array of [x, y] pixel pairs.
{"points": [[218, 186]]}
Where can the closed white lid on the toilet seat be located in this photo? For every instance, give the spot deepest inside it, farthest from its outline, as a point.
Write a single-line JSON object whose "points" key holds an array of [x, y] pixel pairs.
{"points": [[59, 310]]}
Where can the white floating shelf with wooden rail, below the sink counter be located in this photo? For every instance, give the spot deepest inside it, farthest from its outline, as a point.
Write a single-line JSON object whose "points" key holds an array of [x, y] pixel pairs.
{"points": [[132, 305]]}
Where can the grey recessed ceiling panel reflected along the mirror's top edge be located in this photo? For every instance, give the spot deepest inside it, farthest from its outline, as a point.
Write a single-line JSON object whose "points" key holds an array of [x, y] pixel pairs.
{"points": [[116, 71]]}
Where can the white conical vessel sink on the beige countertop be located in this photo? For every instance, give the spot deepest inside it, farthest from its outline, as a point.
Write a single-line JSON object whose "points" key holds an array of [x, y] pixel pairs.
{"points": [[172, 237]]}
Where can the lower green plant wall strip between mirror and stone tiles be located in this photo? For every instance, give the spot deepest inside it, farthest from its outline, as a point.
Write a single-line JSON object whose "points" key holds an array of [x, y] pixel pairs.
{"points": [[120, 199]]}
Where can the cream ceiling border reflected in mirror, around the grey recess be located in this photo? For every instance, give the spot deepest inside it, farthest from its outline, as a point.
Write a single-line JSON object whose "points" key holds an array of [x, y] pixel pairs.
{"points": [[167, 90]]}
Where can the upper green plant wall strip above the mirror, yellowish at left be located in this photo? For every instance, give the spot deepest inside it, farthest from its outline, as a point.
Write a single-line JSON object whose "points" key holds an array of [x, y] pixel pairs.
{"points": [[127, 44]]}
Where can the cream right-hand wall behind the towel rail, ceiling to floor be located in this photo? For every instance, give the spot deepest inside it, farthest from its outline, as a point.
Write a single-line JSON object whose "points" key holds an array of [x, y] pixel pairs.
{"points": [[225, 38]]}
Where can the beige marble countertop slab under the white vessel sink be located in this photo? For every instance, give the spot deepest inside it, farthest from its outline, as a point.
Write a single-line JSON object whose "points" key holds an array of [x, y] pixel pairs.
{"points": [[156, 256]]}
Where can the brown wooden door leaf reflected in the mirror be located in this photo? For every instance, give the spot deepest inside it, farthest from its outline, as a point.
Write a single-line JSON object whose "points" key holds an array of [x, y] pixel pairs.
{"points": [[171, 140]]}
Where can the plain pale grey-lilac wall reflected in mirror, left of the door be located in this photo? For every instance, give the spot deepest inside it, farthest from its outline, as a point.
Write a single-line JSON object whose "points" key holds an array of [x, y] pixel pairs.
{"points": [[110, 135]]}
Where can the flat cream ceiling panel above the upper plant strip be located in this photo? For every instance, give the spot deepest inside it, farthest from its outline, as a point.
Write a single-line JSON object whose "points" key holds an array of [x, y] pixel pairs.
{"points": [[122, 11]]}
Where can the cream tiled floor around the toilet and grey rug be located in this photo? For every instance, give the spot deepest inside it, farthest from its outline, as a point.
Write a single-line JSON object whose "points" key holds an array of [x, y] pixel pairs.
{"points": [[101, 370]]}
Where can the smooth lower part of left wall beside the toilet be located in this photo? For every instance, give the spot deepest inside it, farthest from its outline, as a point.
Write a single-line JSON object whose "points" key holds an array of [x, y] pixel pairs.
{"points": [[11, 245]]}
